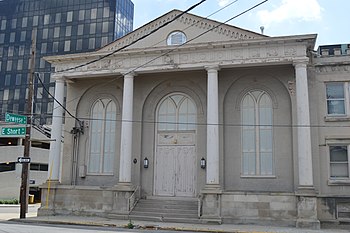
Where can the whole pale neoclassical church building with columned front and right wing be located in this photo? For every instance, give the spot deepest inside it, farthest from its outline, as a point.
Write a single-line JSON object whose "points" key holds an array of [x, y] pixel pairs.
{"points": [[204, 122]]}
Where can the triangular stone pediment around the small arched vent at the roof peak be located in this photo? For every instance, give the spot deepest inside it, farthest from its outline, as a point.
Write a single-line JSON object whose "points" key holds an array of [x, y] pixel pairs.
{"points": [[197, 30]]}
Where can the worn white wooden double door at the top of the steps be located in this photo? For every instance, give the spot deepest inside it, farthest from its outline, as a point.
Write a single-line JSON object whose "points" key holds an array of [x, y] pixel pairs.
{"points": [[175, 173]]}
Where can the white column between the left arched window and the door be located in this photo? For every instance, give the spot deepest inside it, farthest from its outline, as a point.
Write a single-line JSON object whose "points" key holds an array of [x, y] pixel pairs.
{"points": [[126, 132]]}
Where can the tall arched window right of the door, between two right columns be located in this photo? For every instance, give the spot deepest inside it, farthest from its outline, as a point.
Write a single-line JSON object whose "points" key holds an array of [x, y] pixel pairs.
{"points": [[257, 134]]}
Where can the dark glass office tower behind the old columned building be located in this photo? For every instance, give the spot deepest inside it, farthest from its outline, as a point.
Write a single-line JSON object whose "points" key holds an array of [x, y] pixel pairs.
{"points": [[63, 26]]}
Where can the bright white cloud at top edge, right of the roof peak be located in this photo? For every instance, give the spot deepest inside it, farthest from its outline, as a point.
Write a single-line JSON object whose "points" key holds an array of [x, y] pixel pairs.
{"points": [[301, 10]]}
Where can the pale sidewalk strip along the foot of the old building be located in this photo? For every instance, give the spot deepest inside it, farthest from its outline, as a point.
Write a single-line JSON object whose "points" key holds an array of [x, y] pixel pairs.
{"points": [[229, 228]]}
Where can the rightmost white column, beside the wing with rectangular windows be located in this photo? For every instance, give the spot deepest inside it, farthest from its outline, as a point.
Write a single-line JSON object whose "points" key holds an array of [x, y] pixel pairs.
{"points": [[303, 119]]}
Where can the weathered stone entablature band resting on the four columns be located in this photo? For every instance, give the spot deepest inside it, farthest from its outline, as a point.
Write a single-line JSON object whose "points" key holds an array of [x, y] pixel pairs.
{"points": [[190, 60]]}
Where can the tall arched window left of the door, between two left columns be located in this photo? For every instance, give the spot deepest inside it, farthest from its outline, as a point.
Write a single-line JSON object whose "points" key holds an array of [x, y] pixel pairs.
{"points": [[102, 137]]}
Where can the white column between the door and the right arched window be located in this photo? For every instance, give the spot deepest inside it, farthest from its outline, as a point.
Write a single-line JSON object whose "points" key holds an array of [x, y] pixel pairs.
{"points": [[212, 127]]}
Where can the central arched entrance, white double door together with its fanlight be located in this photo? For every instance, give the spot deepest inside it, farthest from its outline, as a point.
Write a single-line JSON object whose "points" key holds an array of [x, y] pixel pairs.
{"points": [[175, 147]]}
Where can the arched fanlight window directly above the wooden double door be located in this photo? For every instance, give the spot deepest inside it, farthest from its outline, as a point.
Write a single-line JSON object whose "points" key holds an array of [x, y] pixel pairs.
{"points": [[177, 112]]}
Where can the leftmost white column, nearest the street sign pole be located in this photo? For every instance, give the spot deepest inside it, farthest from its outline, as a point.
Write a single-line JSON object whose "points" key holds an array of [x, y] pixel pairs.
{"points": [[56, 132]]}
